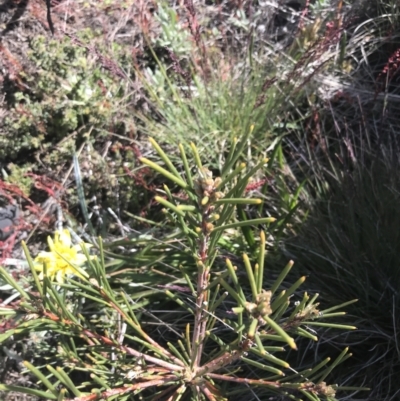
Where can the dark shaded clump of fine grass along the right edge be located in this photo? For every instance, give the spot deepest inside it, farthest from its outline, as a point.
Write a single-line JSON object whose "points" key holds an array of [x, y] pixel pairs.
{"points": [[350, 245]]}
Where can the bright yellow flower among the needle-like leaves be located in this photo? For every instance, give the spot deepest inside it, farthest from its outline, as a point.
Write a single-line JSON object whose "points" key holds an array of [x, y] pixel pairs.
{"points": [[63, 258]]}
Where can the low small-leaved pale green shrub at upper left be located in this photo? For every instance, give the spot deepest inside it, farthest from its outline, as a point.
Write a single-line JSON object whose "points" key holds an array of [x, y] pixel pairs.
{"points": [[64, 93]]}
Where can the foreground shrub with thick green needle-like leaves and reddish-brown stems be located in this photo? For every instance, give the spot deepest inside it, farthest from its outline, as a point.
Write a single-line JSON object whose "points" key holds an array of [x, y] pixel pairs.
{"points": [[232, 321]]}
